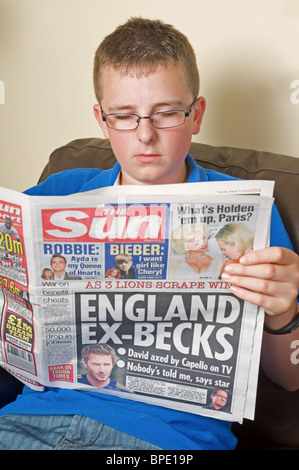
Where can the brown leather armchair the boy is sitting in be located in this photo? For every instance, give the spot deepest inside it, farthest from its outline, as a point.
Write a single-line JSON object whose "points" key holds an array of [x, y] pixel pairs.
{"points": [[277, 411]]}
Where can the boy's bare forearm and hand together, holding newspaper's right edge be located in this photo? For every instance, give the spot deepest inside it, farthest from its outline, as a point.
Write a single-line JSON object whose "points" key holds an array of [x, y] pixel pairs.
{"points": [[270, 278]]}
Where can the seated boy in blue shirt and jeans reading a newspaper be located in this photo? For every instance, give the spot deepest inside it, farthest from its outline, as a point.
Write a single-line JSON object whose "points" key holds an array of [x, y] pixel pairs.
{"points": [[147, 86]]}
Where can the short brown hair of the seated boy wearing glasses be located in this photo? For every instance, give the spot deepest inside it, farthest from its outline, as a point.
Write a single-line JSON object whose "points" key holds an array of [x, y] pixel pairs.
{"points": [[141, 44]]}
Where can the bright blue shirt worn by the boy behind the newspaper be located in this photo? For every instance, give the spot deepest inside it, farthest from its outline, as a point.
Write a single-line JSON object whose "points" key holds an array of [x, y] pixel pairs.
{"points": [[163, 427]]}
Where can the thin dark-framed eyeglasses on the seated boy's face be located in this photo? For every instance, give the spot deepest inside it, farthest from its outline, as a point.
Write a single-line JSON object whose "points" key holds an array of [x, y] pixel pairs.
{"points": [[160, 120]]}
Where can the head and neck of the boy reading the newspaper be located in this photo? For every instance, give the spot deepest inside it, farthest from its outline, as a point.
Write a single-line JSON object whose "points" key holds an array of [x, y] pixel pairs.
{"points": [[147, 83]]}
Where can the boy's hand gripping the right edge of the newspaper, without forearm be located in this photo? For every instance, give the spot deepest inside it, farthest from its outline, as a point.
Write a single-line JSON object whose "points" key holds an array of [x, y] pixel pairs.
{"points": [[268, 278]]}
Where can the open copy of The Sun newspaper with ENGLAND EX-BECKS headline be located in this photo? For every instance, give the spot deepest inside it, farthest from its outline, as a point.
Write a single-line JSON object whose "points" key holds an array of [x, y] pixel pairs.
{"points": [[136, 270]]}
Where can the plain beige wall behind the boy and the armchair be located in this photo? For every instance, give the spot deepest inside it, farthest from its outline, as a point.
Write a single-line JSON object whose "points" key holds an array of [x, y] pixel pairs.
{"points": [[247, 55]]}
